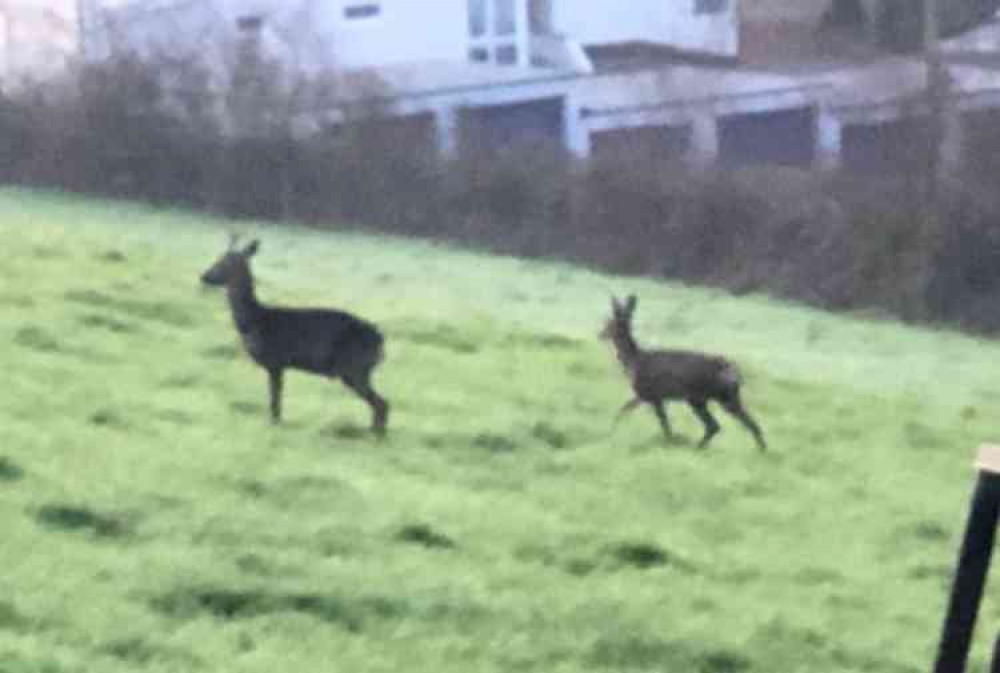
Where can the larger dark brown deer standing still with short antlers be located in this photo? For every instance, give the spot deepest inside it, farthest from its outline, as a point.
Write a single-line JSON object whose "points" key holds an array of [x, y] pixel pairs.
{"points": [[327, 342]]}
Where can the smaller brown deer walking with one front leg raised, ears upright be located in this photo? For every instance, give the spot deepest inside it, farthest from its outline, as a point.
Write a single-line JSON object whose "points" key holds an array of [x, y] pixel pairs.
{"points": [[658, 376]]}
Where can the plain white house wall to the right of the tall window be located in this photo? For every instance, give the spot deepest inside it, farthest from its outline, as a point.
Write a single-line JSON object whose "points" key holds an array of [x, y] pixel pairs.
{"points": [[670, 22]]}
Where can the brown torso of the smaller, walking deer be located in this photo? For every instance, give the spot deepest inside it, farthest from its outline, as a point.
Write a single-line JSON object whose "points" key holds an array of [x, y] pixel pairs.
{"points": [[683, 374]]}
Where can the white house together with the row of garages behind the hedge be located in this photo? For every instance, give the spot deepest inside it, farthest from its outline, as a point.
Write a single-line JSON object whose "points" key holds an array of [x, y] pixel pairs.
{"points": [[528, 69]]}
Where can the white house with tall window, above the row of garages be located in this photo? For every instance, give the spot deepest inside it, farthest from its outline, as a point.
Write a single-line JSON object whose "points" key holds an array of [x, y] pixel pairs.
{"points": [[376, 33]]}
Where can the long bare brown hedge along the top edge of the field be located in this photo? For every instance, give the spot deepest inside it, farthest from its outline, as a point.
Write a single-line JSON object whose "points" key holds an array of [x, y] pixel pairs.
{"points": [[268, 140]]}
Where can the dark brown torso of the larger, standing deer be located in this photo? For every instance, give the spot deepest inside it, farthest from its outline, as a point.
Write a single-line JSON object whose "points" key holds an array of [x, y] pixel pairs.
{"points": [[321, 341]]}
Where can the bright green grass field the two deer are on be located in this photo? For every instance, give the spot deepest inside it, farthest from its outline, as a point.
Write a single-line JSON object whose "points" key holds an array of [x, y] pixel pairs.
{"points": [[153, 519]]}
